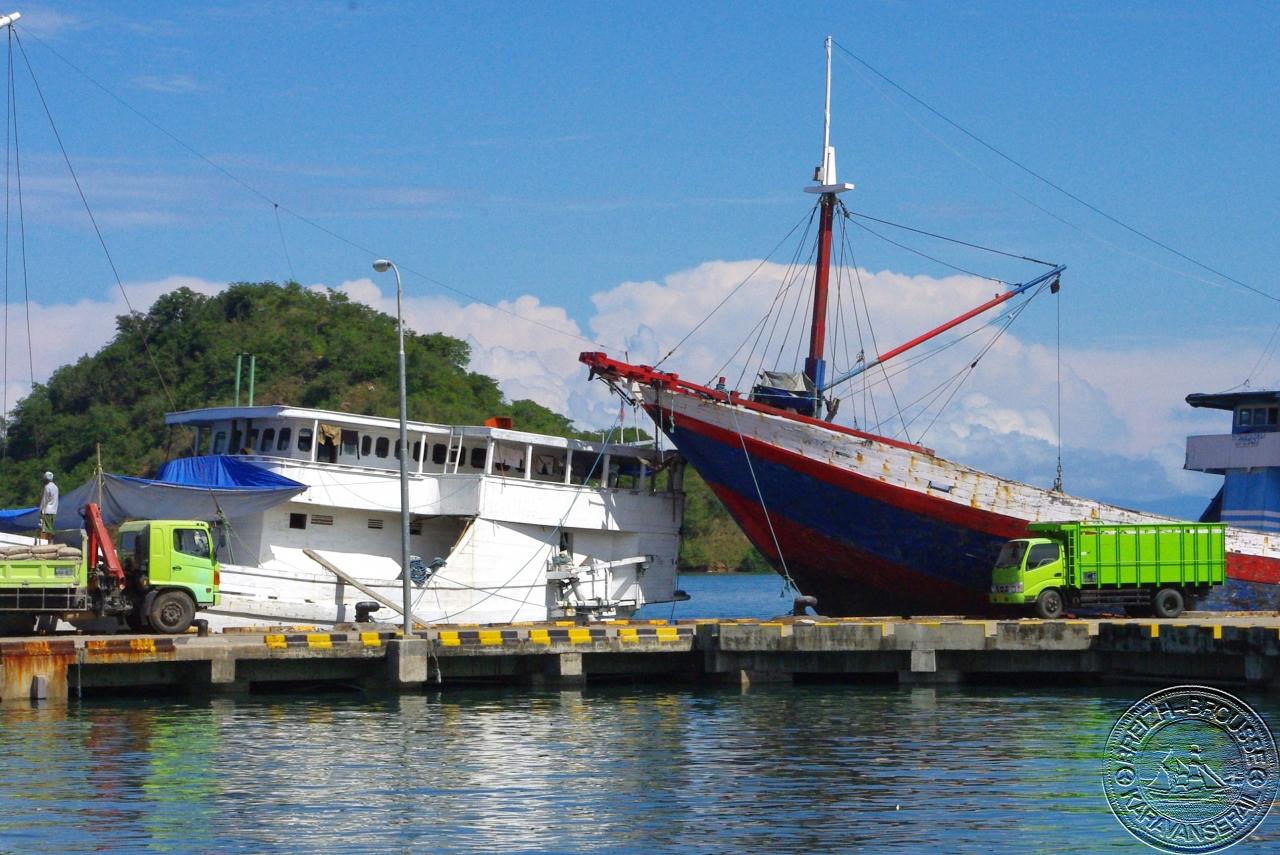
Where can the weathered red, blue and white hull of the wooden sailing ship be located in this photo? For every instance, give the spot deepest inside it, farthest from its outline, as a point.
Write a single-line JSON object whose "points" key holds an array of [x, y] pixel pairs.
{"points": [[866, 545]]}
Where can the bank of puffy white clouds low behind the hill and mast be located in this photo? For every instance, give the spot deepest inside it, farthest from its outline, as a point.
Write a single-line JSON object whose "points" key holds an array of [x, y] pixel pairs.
{"points": [[1124, 420]]}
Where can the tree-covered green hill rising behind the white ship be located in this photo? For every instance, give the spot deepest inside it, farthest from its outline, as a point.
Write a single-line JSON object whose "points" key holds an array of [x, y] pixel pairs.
{"points": [[314, 350]]}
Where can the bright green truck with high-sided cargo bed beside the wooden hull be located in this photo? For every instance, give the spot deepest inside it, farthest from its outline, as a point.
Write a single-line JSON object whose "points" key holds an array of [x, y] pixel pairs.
{"points": [[1142, 568]]}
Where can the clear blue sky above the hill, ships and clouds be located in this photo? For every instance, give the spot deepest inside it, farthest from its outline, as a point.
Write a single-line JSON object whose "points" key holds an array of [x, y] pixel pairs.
{"points": [[552, 153]]}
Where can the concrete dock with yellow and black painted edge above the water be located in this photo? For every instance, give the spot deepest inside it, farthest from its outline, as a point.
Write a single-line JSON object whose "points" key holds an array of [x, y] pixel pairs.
{"points": [[1219, 648]]}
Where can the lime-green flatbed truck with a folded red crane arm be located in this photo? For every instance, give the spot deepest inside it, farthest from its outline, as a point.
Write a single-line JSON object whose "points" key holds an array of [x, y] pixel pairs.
{"points": [[164, 573]]}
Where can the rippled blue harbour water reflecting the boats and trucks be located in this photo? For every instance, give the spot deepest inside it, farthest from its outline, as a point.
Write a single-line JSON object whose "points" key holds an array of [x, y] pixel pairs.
{"points": [[615, 770]]}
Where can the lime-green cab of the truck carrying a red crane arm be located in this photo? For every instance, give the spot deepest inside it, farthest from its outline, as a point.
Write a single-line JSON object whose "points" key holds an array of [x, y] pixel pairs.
{"points": [[173, 571]]}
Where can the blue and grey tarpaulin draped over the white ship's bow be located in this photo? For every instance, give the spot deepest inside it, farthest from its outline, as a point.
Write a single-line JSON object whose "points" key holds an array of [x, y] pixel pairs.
{"points": [[191, 488]]}
